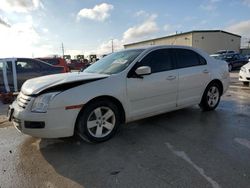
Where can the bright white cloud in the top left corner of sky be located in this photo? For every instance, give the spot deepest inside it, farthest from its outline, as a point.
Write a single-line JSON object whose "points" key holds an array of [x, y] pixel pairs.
{"points": [[23, 6]]}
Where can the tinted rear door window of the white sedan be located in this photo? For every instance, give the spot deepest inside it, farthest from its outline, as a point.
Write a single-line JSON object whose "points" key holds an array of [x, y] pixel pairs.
{"points": [[189, 58]]}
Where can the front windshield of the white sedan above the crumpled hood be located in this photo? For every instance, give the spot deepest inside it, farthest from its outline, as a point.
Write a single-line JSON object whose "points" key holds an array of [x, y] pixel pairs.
{"points": [[114, 63]]}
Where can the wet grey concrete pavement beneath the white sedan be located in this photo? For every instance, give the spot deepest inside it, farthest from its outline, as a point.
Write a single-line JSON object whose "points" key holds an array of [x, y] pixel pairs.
{"points": [[185, 148]]}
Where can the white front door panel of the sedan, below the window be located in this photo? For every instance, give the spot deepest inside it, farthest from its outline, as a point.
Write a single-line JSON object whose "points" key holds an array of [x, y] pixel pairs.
{"points": [[153, 93]]}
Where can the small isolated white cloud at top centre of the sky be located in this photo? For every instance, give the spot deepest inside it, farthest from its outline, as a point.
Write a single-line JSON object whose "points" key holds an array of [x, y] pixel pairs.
{"points": [[99, 12]]}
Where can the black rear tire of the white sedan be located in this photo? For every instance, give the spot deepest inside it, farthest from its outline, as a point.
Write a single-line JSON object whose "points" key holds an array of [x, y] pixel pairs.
{"points": [[205, 103]]}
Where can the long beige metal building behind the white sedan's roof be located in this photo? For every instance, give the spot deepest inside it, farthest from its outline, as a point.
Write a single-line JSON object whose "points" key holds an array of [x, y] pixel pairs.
{"points": [[210, 41]]}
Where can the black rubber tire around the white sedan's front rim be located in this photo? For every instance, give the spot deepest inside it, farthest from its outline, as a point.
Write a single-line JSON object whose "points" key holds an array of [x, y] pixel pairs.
{"points": [[82, 129]]}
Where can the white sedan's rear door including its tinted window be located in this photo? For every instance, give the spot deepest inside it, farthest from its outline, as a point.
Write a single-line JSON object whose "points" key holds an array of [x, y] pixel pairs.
{"points": [[194, 76]]}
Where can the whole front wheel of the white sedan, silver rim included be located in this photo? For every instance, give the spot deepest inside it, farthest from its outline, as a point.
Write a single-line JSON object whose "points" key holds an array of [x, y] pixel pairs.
{"points": [[99, 121]]}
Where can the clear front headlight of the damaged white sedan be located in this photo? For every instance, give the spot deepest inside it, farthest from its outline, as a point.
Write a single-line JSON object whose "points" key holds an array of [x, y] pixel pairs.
{"points": [[41, 103]]}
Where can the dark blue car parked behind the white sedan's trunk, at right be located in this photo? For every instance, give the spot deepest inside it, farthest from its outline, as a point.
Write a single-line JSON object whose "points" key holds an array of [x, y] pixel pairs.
{"points": [[234, 61]]}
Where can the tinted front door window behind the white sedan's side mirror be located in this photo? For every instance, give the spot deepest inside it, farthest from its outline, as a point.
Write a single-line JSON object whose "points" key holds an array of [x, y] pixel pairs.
{"points": [[158, 60]]}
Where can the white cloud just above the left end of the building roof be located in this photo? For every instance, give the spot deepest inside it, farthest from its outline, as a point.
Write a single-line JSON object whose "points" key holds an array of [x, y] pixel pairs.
{"points": [[140, 31]]}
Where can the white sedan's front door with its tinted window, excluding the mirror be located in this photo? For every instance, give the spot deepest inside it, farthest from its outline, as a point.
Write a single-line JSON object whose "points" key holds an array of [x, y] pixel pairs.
{"points": [[155, 93]]}
